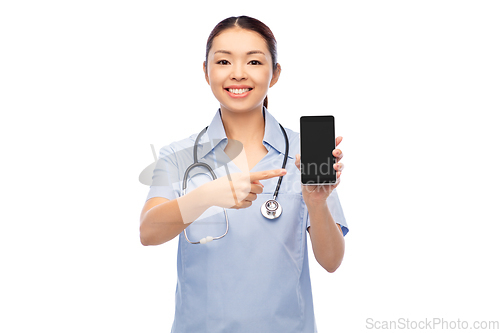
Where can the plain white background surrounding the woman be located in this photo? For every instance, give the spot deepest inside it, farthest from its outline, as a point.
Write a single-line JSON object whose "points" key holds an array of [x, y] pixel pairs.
{"points": [[87, 86]]}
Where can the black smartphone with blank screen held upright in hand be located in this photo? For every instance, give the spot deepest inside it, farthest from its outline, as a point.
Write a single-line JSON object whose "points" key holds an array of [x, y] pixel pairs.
{"points": [[317, 141]]}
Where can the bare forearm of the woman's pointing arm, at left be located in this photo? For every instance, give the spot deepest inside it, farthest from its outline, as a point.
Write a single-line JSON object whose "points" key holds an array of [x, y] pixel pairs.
{"points": [[167, 220]]}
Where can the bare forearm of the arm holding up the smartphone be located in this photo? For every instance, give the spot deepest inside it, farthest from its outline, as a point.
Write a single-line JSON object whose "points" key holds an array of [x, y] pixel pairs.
{"points": [[326, 238]]}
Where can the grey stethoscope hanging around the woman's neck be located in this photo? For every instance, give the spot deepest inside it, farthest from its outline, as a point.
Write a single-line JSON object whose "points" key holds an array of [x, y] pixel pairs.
{"points": [[271, 209]]}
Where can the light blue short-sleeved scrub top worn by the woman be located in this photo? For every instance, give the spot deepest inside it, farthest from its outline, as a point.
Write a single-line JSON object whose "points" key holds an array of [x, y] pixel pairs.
{"points": [[256, 278]]}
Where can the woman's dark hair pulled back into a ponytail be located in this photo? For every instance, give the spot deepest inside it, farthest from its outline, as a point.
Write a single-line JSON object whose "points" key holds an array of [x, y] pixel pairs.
{"points": [[248, 23]]}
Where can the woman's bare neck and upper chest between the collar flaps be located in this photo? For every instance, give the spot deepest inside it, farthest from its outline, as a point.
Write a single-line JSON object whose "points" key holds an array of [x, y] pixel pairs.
{"points": [[247, 127]]}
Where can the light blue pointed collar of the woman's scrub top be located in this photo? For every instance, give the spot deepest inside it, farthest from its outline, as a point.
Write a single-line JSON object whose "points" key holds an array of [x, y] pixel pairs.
{"points": [[273, 135]]}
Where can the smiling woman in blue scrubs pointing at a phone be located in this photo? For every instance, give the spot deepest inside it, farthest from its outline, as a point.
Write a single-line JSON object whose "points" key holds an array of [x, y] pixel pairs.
{"points": [[256, 277]]}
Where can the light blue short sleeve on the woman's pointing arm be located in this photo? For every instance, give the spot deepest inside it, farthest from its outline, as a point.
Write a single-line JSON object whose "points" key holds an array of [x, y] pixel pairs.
{"points": [[165, 175]]}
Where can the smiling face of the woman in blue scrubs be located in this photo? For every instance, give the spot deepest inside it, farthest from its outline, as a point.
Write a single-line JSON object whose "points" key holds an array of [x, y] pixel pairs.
{"points": [[240, 70]]}
